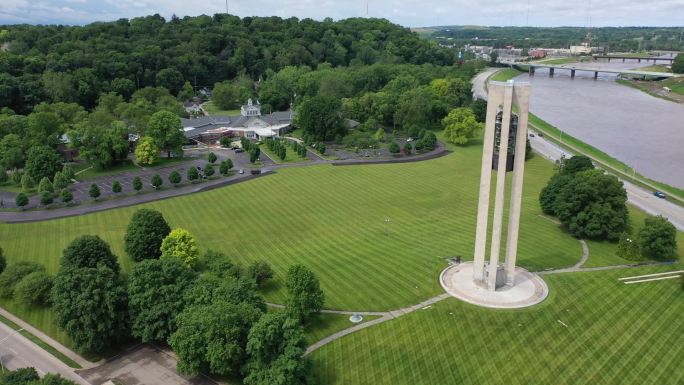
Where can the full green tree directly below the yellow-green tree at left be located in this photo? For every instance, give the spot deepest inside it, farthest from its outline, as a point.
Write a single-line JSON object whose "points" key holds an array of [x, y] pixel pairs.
{"points": [[156, 289]]}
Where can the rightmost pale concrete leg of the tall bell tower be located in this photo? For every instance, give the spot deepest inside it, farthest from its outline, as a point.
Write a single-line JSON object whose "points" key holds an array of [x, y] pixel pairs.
{"points": [[521, 99]]}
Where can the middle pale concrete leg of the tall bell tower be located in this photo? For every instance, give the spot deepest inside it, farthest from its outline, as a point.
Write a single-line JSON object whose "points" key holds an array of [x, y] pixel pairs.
{"points": [[499, 198]]}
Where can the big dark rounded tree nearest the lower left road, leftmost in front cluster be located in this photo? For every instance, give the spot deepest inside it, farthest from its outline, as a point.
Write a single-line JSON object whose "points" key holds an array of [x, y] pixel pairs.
{"points": [[90, 305]]}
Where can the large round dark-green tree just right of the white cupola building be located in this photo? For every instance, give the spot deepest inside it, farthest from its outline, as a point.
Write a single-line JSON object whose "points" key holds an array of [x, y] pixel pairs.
{"points": [[320, 118]]}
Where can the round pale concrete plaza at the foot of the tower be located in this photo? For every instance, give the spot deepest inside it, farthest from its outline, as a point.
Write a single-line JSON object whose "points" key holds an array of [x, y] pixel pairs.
{"points": [[528, 289]]}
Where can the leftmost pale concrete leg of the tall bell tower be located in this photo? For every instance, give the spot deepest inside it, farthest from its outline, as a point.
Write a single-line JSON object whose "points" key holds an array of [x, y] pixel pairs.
{"points": [[494, 98]]}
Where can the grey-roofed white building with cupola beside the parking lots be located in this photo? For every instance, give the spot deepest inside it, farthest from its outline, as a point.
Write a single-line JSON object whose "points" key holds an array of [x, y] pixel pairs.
{"points": [[250, 124]]}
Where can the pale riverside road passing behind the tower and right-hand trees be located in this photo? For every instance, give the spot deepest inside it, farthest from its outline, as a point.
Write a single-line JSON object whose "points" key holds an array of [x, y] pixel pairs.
{"points": [[636, 195]]}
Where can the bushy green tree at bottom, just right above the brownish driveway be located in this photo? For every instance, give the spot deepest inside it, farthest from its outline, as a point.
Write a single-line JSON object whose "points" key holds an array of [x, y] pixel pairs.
{"points": [[221, 346]]}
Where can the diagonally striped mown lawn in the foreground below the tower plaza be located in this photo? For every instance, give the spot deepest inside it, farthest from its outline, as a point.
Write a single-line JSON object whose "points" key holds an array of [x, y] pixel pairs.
{"points": [[614, 334]]}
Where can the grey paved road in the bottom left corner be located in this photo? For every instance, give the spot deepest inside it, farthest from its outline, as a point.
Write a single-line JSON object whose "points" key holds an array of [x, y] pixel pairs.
{"points": [[16, 351]]}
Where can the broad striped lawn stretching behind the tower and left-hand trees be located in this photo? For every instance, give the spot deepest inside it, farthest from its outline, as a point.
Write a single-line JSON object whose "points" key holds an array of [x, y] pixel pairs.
{"points": [[331, 219]]}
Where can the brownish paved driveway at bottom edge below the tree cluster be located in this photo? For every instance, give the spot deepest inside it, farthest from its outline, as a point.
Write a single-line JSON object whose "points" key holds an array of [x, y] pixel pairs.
{"points": [[143, 365]]}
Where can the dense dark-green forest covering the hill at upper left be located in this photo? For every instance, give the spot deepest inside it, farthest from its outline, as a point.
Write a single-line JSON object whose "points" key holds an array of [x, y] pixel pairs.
{"points": [[77, 64]]}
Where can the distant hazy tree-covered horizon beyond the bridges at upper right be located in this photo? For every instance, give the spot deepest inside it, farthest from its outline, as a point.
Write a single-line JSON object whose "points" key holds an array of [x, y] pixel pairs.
{"points": [[613, 38]]}
